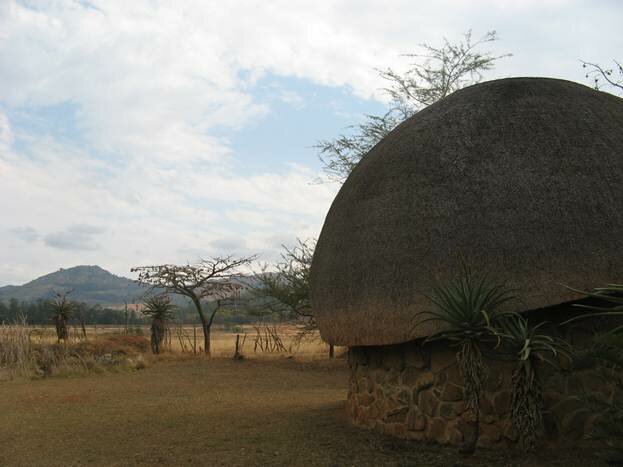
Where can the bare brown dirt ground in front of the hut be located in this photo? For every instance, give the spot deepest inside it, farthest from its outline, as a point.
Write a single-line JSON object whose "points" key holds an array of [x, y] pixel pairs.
{"points": [[196, 411]]}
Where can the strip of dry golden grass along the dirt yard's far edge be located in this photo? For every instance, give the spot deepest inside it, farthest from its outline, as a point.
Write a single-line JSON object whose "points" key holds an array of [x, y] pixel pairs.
{"points": [[33, 351]]}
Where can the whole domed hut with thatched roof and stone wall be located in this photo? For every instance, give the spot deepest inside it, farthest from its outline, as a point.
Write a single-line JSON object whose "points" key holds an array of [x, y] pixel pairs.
{"points": [[522, 176]]}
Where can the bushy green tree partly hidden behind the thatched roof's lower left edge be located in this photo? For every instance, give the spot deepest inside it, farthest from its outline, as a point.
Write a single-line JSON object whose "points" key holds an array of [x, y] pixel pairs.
{"points": [[286, 291]]}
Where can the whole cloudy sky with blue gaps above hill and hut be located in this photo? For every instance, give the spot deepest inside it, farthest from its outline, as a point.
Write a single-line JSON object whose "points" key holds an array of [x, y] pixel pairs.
{"points": [[147, 131]]}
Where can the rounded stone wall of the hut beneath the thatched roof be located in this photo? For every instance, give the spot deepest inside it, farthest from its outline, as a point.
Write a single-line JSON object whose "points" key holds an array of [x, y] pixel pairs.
{"points": [[416, 392]]}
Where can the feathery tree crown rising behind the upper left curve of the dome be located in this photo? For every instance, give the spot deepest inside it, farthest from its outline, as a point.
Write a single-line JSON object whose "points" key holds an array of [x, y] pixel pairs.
{"points": [[437, 72]]}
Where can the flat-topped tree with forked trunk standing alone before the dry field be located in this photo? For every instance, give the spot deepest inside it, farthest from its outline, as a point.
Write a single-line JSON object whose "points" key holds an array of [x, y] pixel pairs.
{"points": [[211, 279]]}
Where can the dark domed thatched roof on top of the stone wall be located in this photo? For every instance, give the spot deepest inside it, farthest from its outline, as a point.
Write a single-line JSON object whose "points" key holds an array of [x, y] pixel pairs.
{"points": [[522, 176]]}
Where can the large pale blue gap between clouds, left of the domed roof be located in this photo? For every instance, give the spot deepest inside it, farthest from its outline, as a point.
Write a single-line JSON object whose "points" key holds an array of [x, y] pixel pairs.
{"points": [[301, 113]]}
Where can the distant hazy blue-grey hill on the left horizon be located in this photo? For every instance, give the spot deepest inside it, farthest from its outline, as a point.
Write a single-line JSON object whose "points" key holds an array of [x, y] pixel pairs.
{"points": [[90, 284]]}
